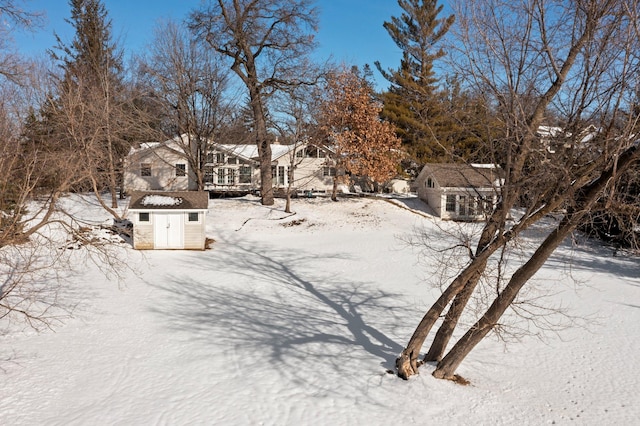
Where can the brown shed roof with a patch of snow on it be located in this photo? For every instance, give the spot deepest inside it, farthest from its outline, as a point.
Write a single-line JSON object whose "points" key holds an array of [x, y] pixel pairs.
{"points": [[164, 200]]}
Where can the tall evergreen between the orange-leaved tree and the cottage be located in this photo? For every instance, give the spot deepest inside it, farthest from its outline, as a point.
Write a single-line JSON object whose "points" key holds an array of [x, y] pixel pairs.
{"points": [[411, 103]]}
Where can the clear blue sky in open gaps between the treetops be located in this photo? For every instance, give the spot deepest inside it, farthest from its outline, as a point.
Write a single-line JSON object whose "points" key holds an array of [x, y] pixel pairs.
{"points": [[350, 30]]}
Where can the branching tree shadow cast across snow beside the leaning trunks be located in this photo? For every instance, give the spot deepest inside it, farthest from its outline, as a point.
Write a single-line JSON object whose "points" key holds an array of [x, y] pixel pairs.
{"points": [[284, 304]]}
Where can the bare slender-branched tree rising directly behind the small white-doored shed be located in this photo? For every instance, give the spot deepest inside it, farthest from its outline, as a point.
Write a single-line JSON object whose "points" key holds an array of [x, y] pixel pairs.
{"points": [[189, 81]]}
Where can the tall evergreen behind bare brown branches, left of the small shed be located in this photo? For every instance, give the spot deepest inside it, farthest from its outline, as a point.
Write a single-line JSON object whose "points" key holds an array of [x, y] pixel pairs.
{"points": [[90, 105]]}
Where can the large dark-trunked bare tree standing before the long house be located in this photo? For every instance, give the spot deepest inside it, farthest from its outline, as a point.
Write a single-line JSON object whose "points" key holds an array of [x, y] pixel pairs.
{"points": [[265, 41]]}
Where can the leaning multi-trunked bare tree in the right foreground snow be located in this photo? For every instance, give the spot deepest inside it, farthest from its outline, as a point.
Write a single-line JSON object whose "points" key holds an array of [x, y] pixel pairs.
{"points": [[533, 61]]}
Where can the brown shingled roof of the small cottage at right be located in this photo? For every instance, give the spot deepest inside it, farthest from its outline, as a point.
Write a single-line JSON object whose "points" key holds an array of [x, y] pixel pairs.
{"points": [[464, 175]]}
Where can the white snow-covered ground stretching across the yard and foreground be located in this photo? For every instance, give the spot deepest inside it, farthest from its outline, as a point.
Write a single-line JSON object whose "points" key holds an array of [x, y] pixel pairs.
{"points": [[297, 324]]}
